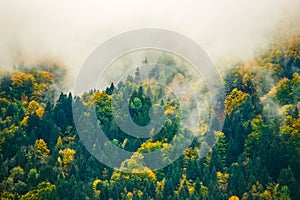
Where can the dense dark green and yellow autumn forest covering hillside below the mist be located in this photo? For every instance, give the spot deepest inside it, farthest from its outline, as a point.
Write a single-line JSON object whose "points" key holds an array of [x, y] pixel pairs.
{"points": [[257, 155]]}
